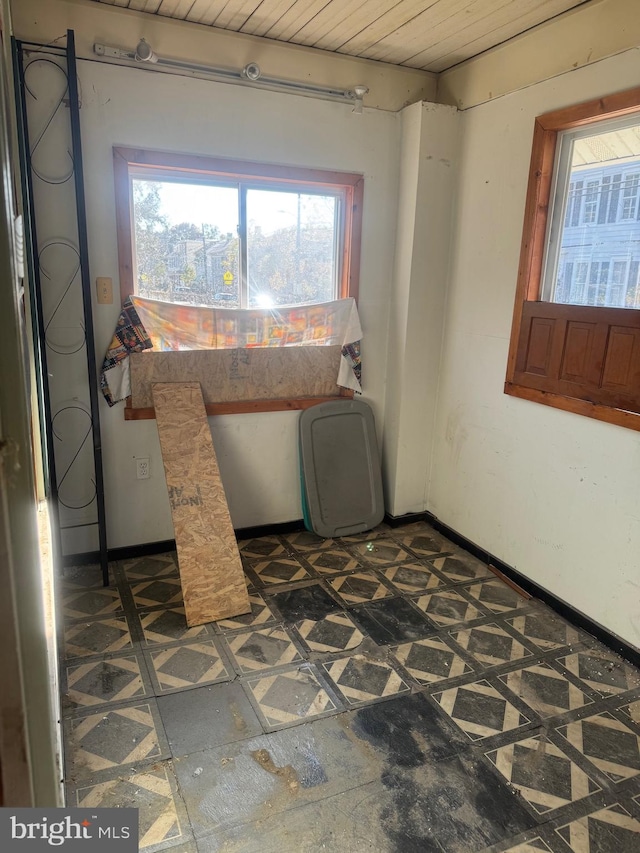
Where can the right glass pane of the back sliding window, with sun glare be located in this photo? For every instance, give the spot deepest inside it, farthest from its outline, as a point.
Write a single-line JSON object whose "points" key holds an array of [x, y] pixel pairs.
{"points": [[291, 247]]}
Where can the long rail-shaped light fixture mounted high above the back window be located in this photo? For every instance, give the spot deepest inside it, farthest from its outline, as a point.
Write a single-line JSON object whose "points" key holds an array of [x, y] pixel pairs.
{"points": [[250, 75]]}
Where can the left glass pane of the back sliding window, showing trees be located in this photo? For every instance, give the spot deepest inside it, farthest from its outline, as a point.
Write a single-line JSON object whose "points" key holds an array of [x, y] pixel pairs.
{"points": [[186, 242]]}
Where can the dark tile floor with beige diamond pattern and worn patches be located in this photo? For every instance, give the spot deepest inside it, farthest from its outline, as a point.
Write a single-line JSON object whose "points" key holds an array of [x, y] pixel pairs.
{"points": [[386, 693]]}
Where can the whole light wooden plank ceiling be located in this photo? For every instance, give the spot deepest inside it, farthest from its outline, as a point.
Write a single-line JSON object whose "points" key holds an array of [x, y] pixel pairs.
{"points": [[431, 35]]}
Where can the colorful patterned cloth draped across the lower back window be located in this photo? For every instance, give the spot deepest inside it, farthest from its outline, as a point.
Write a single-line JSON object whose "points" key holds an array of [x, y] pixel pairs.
{"points": [[146, 323]]}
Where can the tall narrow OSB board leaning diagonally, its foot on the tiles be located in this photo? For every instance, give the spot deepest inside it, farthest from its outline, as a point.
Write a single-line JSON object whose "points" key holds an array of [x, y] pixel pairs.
{"points": [[213, 584]]}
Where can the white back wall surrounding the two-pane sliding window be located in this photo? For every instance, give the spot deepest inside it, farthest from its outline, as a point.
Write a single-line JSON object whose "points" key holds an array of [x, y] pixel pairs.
{"points": [[257, 453]]}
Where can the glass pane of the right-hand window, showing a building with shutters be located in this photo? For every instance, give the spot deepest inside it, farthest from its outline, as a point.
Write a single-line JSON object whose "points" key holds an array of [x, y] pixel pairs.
{"points": [[598, 240]]}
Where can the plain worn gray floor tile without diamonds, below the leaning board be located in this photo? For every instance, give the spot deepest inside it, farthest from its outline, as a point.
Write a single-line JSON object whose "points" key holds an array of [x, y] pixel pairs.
{"points": [[207, 717]]}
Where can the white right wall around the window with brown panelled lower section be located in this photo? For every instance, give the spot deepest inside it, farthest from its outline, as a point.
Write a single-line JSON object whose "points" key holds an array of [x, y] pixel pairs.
{"points": [[551, 493]]}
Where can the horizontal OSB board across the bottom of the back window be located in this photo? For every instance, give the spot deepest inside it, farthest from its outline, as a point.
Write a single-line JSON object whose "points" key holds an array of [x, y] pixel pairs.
{"points": [[239, 374]]}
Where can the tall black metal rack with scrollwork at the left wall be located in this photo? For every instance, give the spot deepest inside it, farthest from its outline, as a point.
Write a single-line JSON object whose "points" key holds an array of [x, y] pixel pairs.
{"points": [[64, 59]]}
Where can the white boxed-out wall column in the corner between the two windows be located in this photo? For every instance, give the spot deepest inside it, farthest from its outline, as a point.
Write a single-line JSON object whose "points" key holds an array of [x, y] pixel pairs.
{"points": [[428, 168]]}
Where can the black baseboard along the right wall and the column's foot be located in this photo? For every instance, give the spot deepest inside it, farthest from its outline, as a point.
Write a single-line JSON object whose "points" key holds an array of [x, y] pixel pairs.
{"points": [[567, 611]]}
